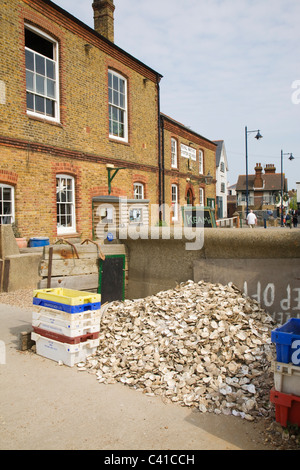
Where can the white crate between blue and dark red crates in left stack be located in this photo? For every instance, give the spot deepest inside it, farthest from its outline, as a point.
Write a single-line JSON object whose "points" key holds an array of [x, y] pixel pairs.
{"points": [[66, 324]]}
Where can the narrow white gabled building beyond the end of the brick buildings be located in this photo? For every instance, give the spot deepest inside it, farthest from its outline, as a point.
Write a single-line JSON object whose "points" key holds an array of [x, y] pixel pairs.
{"points": [[221, 177]]}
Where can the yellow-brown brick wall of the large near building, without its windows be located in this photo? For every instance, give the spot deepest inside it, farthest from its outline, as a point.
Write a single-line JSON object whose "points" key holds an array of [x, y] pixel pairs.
{"points": [[33, 150]]}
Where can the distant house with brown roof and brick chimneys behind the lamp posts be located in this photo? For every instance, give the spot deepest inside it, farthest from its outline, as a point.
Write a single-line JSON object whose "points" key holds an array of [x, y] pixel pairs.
{"points": [[264, 189]]}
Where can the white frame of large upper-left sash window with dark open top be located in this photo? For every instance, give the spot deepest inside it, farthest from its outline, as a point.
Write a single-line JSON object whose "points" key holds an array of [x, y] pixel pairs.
{"points": [[56, 97]]}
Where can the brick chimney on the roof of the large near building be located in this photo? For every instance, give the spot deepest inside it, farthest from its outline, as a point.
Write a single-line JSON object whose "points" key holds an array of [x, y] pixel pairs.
{"points": [[104, 18]]}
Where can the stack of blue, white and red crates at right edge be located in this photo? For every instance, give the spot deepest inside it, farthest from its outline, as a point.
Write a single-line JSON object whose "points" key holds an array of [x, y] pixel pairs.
{"points": [[286, 391]]}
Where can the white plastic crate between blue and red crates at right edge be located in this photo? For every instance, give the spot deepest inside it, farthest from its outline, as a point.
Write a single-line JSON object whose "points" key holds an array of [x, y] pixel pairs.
{"points": [[286, 378]]}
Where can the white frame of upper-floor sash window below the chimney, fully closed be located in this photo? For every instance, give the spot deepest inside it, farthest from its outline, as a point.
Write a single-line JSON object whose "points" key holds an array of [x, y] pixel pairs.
{"points": [[114, 96]]}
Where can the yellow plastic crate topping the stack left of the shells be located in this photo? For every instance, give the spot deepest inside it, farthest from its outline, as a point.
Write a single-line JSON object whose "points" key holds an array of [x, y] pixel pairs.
{"points": [[67, 296]]}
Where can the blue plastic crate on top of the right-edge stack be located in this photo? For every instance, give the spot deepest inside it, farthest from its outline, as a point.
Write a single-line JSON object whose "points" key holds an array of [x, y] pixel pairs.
{"points": [[287, 340]]}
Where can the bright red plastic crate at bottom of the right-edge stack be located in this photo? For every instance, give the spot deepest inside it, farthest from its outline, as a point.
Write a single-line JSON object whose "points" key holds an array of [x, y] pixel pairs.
{"points": [[287, 408]]}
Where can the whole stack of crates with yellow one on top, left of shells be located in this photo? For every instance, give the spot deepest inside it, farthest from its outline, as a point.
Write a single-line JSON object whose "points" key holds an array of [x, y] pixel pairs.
{"points": [[66, 324]]}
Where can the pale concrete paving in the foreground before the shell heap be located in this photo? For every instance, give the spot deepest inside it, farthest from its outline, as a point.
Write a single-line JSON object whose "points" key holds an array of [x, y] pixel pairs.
{"points": [[47, 406]]}
